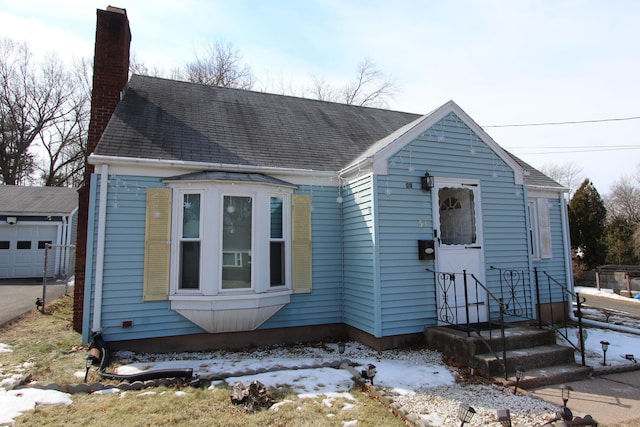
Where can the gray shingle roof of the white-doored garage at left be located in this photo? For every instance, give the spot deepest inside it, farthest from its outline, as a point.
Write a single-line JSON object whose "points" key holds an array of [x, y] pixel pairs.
{"points": [[17, 200]]}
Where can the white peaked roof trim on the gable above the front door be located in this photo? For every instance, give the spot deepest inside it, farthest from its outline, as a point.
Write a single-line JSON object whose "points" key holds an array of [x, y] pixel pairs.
{"points": [[377, 156]]}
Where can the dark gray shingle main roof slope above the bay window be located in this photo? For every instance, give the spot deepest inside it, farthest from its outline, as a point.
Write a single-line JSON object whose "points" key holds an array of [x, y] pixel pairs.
{"points": [[173, 120]]}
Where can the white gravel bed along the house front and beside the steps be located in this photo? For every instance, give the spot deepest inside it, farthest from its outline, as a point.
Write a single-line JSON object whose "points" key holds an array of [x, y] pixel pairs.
{"points": [[433, 406]]}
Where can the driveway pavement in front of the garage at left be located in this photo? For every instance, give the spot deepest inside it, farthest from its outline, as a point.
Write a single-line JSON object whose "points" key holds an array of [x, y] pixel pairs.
{"points": [[18, 296]]}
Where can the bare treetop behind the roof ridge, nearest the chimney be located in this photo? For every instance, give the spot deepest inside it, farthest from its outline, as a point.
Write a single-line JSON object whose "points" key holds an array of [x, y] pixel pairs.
{"points": [[220, 66]]}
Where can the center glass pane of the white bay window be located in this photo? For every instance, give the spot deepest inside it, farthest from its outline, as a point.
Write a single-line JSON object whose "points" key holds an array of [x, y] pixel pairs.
{"points": [[236, 239]]}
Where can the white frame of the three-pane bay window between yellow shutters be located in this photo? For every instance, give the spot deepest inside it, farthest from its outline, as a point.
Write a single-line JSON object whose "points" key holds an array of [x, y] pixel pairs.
{"points": [[211, 256]]}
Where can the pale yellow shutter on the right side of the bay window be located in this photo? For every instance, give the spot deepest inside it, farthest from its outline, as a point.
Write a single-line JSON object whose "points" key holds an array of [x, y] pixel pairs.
{"points": [[301, 243]]}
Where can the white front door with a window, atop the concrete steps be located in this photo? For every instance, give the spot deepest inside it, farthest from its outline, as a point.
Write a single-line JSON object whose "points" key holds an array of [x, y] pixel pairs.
{"points": [[458, 234]]}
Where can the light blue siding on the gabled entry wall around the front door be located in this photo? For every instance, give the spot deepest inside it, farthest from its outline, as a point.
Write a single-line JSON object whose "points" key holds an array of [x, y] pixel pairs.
{"points": [[404, 215]]}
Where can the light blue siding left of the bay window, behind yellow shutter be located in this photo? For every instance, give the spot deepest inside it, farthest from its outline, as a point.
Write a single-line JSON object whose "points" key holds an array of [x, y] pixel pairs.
{"points": [[123, 266]]}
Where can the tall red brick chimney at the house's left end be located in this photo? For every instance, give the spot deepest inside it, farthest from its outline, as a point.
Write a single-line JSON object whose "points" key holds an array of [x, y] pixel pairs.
{"points": [[110, 75]]}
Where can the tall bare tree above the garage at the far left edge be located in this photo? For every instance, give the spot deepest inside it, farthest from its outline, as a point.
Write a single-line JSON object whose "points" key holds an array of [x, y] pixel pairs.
{"points": [[34, 99]]}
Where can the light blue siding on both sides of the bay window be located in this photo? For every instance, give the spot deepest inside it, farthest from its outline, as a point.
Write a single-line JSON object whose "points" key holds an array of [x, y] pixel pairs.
{"points": [[124, 259]]}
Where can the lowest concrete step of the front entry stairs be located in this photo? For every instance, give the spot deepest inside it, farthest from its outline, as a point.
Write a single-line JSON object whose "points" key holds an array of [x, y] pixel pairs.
{"points": [[548, 375]]}
